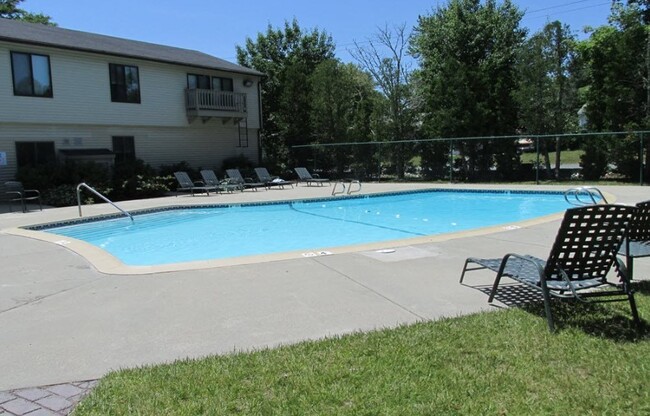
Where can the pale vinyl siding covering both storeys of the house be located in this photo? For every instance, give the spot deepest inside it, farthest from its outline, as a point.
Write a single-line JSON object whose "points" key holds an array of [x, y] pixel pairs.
{"points": [[81, 114]]}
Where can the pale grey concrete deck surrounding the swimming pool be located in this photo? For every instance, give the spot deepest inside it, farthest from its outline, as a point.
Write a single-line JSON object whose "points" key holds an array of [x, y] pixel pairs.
{"points": [[63, 321]]}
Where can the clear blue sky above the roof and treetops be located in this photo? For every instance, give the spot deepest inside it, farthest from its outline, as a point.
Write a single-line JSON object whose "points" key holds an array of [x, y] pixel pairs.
{"points": [[215, 27]]}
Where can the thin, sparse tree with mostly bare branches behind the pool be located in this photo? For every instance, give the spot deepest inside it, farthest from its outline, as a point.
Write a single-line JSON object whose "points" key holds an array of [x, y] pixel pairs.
{"points": [[392, 77]]}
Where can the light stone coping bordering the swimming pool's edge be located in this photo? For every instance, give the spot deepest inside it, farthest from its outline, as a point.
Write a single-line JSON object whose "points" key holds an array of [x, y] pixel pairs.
{"points": [[105, 263]]}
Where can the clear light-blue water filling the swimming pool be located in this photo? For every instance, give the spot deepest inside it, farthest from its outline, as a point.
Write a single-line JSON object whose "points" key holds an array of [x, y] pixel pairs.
{"points": [[203, 233]]}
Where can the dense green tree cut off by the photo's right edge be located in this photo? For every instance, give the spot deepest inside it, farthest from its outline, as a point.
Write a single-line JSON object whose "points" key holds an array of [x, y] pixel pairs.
{"points": [[618, 96]]}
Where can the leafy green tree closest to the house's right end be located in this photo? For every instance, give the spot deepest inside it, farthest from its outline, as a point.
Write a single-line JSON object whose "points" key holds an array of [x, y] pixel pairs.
{"points": [[286, 56]]}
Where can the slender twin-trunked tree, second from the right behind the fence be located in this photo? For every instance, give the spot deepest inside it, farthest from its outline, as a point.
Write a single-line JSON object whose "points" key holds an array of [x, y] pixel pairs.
{"points": [[547, 93]]}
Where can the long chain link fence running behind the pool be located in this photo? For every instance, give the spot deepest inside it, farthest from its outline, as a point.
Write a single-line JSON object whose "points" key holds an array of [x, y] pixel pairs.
{"points": [[602, 156]]}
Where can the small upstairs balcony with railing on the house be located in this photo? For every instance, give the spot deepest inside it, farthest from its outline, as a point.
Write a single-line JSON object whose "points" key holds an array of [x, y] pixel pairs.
{"points": [[205, 104]]}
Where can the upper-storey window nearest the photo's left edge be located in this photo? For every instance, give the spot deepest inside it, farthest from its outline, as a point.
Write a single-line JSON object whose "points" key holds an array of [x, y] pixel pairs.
{"points": [[31, 74]]}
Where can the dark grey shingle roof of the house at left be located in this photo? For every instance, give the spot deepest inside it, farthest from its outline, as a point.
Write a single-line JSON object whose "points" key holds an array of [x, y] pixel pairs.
{"points": [[43, 35]]}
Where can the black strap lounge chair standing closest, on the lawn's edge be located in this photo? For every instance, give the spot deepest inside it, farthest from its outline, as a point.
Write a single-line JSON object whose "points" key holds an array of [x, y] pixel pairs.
{"points": [[583, 253]]}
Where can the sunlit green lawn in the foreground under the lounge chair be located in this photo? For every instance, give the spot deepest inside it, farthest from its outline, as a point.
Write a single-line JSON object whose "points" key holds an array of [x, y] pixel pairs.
{"points": [[505, 362]]}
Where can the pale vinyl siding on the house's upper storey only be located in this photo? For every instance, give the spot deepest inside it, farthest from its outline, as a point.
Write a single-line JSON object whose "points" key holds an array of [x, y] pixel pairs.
{"points": [[82, 91]]}
